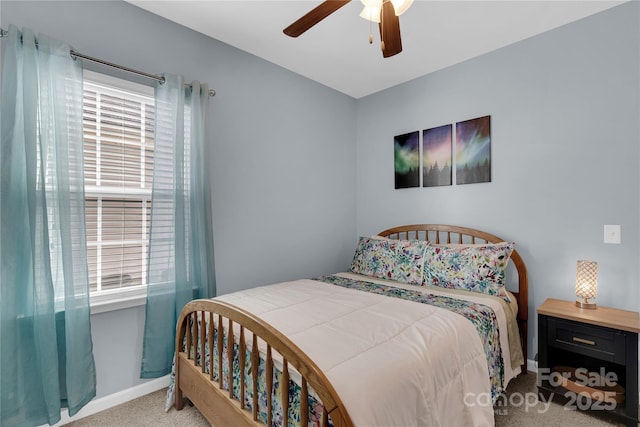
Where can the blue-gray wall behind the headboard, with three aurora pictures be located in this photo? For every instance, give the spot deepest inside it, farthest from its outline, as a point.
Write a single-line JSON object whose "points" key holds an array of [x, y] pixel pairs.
{"points": [[565, 114]]}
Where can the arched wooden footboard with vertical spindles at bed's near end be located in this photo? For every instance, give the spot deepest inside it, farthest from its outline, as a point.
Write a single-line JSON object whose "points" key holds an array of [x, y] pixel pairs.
{"points": [[217, 404]]}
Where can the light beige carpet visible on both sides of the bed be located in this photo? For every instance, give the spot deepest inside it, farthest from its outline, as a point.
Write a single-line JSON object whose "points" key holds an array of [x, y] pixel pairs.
{"points": [[149, 411]]}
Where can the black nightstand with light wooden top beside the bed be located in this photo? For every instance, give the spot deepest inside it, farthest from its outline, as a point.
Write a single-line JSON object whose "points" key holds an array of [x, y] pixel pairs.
{"points": [[602, 341]]}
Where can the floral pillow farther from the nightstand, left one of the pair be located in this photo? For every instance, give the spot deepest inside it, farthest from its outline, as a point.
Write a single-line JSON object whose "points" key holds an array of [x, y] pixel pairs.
{"points": [[398, 260]]}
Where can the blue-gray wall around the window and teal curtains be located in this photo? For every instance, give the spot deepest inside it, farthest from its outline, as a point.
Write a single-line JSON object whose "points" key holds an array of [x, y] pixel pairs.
{"points": [[282, 161]]}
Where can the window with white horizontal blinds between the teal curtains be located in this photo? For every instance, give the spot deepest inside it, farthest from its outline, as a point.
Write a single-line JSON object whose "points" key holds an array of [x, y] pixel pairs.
{"points": [[118, 124]]}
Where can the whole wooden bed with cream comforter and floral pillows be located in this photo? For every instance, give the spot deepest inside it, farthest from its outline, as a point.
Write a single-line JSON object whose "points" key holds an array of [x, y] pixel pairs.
{"points": [[323, 352]]}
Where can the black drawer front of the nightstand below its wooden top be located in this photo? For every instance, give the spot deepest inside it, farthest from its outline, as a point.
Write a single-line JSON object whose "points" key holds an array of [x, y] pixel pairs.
{"points": [[589, 340]]}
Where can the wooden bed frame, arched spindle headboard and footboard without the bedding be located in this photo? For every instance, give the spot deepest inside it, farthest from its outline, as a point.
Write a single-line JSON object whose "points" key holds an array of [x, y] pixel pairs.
{"points": [[218, 405]]}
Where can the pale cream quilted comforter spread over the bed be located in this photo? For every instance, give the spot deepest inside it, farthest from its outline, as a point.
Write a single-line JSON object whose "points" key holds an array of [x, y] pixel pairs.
{"points": [[393, 362]]}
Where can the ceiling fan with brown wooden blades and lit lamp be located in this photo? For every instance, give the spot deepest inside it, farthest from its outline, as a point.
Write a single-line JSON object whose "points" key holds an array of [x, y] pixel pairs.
{"points": [[384, 12]]}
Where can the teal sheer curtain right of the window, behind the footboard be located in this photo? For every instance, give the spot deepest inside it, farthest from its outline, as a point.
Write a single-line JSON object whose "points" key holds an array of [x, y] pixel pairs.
{"points": [[181, 266]]}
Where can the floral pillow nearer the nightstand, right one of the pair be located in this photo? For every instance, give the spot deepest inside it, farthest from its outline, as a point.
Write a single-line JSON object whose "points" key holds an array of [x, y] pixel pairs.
{"points": [[477, 268]]}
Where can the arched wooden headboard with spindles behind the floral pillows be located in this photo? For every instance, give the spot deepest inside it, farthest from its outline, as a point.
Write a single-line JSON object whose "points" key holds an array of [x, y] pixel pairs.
{"points": [[441, 233]]}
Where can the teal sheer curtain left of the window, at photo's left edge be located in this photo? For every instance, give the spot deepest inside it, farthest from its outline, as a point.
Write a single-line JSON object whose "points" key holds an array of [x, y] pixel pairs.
{"points": [[46, 353]]}
